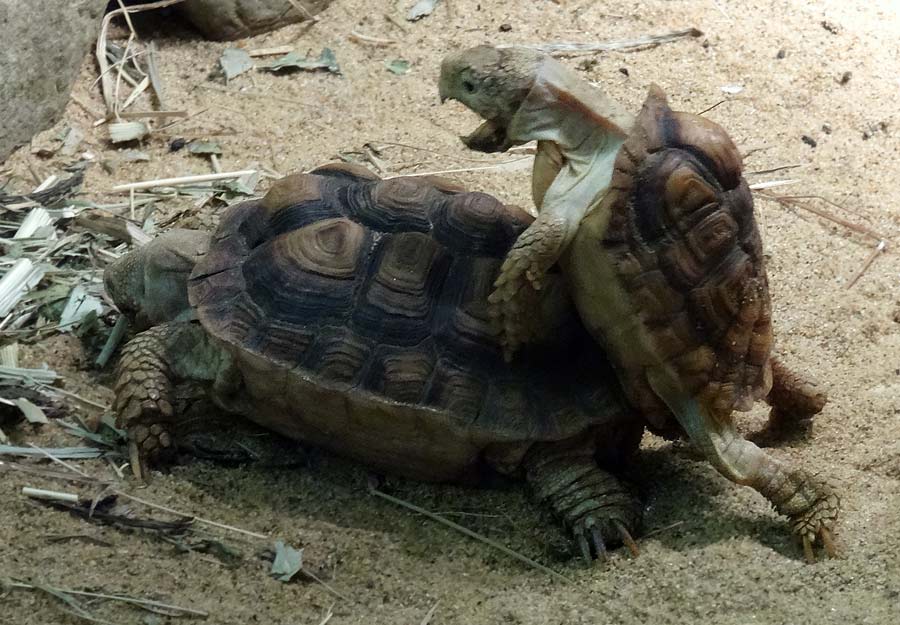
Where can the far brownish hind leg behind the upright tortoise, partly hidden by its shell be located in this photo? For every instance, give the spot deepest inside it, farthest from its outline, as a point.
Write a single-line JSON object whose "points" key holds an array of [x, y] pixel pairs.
{"points": [[795, 400]]}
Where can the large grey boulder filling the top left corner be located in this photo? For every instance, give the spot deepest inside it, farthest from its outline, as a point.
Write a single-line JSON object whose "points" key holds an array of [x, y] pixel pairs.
{"points": [[43, 45]]}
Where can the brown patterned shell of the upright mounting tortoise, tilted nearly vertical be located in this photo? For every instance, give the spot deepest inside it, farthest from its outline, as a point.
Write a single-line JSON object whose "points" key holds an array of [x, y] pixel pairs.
{"points": [[684, 241]]}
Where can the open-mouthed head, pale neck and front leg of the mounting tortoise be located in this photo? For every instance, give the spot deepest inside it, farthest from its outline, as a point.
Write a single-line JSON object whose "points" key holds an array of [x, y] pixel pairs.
{"points": [[524, 95]]}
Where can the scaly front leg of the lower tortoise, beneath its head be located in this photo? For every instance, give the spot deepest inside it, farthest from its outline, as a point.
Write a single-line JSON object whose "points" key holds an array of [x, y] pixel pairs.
{"points": [[151, 365]]}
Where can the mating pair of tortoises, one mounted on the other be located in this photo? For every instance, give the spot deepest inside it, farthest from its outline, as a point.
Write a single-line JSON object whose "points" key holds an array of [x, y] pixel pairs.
{"points": [[373, 317]]}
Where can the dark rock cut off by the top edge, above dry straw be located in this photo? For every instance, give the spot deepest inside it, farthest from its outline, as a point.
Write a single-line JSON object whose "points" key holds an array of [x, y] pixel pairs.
{"points": [[233, 19]]}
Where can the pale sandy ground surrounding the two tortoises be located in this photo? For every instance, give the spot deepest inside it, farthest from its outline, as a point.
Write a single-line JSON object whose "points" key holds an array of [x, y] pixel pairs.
{"points": [[716, 552]]}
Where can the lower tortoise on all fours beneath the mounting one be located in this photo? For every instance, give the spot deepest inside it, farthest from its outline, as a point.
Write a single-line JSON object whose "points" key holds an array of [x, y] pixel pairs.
{"points": [[351, 313]]}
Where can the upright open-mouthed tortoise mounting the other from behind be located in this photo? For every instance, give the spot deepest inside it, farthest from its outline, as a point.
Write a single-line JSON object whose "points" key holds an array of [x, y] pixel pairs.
{"points": [[651, 223]]}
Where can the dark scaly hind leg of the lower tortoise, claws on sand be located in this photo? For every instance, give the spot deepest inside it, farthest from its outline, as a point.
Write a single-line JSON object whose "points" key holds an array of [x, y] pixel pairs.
{"points": [[594, 505]]}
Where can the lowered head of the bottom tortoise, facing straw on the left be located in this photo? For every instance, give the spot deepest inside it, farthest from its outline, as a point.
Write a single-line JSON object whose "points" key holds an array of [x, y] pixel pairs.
{"points": [[149, 284]]}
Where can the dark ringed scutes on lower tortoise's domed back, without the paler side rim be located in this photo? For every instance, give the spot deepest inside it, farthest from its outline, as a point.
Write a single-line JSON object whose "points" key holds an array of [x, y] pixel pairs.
{"points": [[382, 286]]}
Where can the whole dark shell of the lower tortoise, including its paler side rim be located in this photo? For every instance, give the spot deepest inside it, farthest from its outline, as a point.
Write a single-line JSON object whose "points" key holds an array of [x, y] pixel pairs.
{"points": [[356, 309]]}
